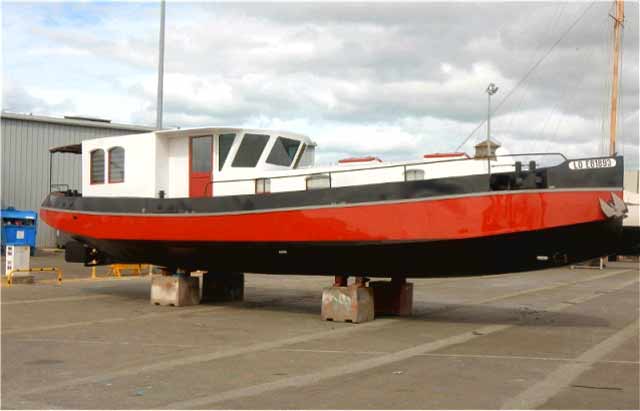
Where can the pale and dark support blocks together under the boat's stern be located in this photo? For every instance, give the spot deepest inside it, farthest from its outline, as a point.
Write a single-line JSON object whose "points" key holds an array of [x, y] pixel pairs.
{"points": [[181, 288]]}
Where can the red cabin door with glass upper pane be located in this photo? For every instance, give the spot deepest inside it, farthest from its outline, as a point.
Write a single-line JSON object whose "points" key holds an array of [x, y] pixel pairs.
{"points": [[201, 166]]}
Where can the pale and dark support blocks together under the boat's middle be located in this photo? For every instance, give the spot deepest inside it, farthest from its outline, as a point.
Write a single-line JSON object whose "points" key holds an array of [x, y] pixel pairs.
{"points": [[360, 303]]}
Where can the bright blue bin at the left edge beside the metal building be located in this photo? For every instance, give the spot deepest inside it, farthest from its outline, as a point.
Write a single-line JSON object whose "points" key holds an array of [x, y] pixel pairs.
{"points": [[19, 228]]}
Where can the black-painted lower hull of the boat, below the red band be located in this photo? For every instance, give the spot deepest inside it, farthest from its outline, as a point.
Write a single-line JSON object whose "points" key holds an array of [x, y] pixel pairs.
{"points": [[531, 250]]}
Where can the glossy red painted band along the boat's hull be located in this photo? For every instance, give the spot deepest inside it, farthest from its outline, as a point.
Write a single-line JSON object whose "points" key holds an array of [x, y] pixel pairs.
{"points": [[429, 219]]}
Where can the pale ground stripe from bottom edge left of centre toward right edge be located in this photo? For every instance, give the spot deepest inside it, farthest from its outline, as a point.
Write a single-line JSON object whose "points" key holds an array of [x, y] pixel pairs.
{"points": [[364, 365]]}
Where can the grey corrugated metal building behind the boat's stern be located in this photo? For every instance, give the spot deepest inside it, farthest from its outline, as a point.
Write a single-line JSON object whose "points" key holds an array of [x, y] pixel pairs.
{"points": [[26, 140]]}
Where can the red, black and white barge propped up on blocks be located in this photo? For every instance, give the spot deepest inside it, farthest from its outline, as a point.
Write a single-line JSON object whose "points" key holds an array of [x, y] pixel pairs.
{"points": [[246, 200]]}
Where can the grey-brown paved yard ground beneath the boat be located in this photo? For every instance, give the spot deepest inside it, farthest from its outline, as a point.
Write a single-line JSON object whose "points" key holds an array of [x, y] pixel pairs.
{"points": [[550, 339]]}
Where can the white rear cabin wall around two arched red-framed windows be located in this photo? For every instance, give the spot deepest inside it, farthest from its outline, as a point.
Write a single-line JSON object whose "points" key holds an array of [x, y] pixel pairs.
{"points": [[139, 158]]}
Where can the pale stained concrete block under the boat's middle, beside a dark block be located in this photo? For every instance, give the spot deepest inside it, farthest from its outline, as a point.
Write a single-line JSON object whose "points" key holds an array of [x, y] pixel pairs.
{"points": [[353, 303]]}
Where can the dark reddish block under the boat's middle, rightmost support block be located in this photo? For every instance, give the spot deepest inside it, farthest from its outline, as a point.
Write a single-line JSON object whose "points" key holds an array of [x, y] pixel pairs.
{"points": [[392, 297]]}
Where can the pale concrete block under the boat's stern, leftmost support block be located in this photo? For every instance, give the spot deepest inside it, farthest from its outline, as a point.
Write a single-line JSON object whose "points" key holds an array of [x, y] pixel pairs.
{"points": [[176, 290]]}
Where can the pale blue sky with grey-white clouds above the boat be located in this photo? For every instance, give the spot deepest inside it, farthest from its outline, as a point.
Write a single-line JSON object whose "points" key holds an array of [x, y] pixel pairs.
{"points": [[389, 79]]}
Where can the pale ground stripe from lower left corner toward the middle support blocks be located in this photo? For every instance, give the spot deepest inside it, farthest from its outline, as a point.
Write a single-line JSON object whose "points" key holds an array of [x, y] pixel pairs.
{"points": [[169, 364]]}
